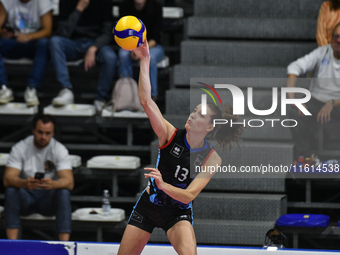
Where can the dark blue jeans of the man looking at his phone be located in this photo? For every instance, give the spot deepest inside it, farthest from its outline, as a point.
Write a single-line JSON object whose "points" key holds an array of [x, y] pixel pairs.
{"points": [[46, 202]]}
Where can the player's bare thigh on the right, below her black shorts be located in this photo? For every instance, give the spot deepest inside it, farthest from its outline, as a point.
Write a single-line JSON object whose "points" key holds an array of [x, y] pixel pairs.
{"points": [[182, 237]]}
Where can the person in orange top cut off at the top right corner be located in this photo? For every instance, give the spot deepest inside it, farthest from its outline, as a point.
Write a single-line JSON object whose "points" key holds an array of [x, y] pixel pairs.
{"points": [[329, 16]]}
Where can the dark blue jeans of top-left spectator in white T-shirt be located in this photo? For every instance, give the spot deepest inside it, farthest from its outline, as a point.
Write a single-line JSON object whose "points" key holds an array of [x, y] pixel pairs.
{"points": [[37, 50]]}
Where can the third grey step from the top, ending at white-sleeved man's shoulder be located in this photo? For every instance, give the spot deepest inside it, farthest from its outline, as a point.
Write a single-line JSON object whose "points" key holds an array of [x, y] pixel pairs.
{"points": [[243, 53]]}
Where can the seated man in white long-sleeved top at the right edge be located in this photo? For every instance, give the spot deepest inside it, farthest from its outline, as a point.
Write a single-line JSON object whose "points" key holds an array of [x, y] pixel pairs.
{"points": [[324, 62]]}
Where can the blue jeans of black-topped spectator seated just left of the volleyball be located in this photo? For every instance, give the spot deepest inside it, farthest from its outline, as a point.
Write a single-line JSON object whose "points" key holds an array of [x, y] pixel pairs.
{"points": [[63, 49]]}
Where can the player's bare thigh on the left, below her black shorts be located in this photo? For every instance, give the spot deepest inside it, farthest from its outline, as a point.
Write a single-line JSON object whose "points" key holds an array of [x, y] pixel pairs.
{"points": [[133, 241]]}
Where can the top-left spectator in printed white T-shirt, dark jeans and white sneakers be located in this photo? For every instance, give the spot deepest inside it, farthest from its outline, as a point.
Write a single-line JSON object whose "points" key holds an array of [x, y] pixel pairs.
{"points": [[29, 24]]}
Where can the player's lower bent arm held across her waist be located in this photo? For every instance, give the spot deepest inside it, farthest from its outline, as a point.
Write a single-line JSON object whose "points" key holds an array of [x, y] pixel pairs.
{"points": [[186, 195]]}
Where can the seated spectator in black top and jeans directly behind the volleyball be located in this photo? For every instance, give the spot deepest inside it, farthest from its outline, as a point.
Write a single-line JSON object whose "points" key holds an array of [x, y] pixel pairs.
{"points": [[151, 13]]}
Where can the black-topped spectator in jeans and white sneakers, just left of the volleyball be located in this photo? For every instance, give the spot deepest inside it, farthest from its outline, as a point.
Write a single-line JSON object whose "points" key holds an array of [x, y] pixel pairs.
{"points": [[84, 31]]}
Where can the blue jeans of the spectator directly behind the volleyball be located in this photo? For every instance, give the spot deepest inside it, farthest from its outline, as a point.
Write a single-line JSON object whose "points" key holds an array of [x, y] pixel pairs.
{"points": [[125, 65]]}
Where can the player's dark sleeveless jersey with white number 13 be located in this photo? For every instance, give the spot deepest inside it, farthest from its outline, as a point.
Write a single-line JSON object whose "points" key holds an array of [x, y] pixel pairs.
{"points": [[178, 165]]}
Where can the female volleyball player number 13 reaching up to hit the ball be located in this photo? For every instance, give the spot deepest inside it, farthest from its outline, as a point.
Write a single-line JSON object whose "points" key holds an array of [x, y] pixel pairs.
{"points": [[167, 200]]}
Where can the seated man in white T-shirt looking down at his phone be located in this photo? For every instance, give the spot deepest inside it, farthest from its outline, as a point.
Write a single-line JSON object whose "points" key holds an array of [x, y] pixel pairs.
{"points": [[25, 193]]}
